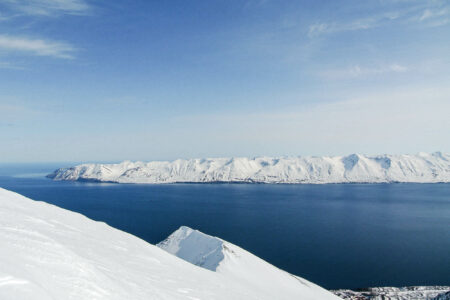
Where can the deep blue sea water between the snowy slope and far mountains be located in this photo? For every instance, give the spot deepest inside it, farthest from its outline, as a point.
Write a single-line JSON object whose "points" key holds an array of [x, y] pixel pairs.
{"points": [[336, 235]]}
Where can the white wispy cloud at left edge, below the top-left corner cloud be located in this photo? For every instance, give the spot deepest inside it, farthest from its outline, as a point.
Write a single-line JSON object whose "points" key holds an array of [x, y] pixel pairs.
{"points": [[37, 47]]}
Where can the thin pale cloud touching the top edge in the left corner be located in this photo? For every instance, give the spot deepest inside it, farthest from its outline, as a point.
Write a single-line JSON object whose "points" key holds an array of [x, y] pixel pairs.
{"points": [[48, 7]]}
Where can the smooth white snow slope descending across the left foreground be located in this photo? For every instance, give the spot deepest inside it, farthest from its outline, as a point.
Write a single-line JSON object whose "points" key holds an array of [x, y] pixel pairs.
{"points": [[50, 253]]}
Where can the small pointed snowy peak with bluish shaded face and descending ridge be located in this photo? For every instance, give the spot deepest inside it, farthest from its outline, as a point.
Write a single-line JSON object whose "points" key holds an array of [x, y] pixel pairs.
{"points": [[231, 261]]}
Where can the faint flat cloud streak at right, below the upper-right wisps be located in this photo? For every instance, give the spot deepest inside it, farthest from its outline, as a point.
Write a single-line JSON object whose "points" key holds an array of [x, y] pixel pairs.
{"points": [[358, 71]]}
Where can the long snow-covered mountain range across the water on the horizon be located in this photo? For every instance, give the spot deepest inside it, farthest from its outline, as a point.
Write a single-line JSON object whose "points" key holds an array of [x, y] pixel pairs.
{"points": [[422, 167]]}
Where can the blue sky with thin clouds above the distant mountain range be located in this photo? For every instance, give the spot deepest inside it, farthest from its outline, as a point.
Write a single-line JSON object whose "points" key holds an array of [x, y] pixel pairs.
{"points": [[91, 80]]}
